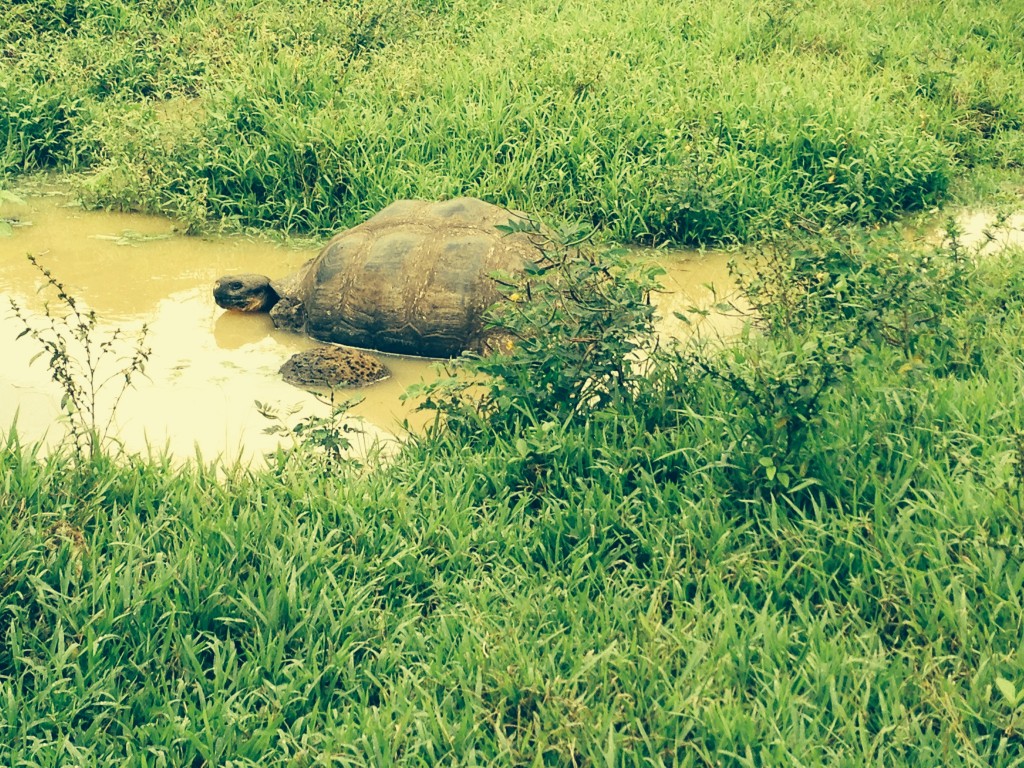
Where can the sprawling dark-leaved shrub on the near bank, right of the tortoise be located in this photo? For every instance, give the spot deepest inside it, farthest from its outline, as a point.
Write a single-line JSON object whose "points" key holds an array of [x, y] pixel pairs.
{"points": [[824, 311]]}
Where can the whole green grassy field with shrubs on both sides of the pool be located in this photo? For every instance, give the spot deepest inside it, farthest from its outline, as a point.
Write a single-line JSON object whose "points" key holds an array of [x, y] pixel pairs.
{"points": [[802, 548]]}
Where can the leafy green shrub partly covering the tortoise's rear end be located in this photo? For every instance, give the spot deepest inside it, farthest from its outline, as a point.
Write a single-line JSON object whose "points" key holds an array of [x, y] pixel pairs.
{"points": [[573, 335]]}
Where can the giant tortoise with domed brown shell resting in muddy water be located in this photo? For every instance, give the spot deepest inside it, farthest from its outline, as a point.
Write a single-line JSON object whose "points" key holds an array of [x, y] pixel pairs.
{"points": [[415, 280]]}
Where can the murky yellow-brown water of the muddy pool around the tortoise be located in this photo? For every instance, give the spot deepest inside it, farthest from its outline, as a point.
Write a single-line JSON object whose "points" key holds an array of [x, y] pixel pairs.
{"points": [[209, 367]]}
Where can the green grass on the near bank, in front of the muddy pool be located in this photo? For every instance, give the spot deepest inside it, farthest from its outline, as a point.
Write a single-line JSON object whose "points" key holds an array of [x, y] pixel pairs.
{"points": [[630, 589]]}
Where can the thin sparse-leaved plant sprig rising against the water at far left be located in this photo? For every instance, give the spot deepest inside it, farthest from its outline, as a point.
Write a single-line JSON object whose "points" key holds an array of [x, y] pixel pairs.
{"points": [[94, 367]]}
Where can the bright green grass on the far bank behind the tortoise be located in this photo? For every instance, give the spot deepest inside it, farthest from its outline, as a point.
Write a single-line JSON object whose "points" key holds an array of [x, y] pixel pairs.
{"points": [[695, 123]]}
